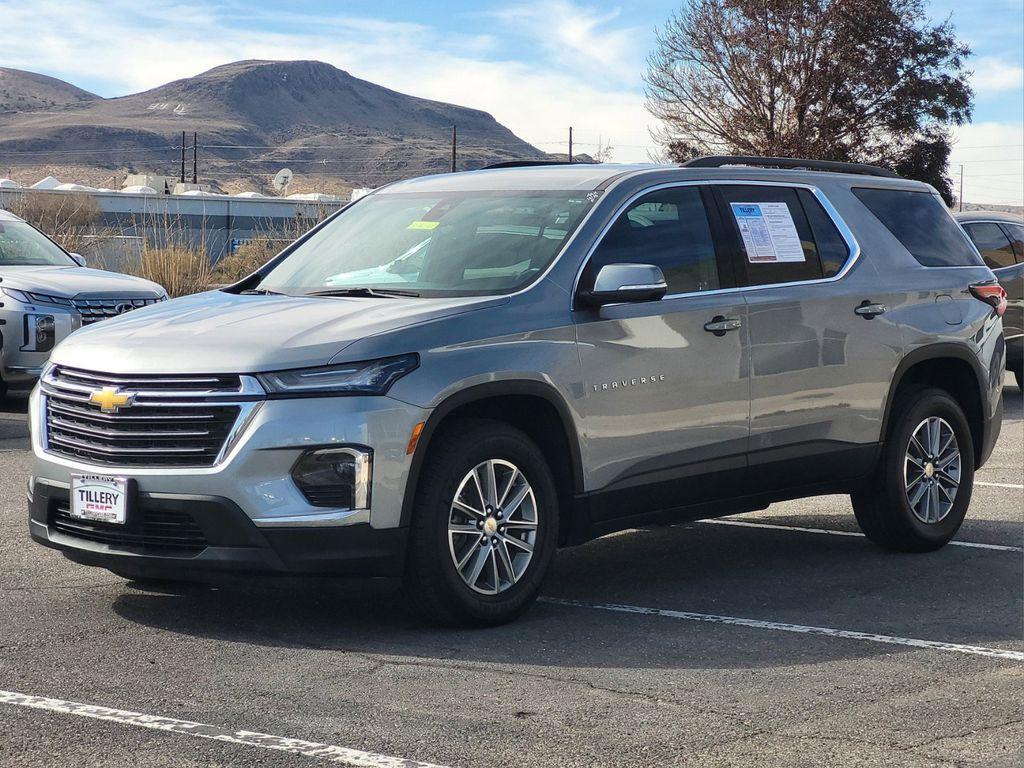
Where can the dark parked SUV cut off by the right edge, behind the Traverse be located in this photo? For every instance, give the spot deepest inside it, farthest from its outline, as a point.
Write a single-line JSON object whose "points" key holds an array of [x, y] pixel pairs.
{"points": [[1000, 239]]}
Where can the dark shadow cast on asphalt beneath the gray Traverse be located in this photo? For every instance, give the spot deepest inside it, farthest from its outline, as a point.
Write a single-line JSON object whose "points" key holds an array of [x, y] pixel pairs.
{"points": [[843, 583]]}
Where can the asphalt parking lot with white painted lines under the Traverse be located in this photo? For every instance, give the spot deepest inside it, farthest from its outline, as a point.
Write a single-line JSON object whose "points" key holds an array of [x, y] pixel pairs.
{"points": [[777, 638]]}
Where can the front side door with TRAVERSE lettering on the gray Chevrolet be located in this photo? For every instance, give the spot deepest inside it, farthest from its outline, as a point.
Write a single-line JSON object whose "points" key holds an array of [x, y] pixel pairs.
{"points": [[667, 396]]}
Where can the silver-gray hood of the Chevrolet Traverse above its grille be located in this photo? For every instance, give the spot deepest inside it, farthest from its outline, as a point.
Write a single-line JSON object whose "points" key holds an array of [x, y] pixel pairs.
{"points": [[218, 332]]}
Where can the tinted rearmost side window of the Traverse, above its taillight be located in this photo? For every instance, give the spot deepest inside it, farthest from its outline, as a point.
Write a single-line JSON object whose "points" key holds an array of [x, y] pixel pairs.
{"points": [[920, 222]]}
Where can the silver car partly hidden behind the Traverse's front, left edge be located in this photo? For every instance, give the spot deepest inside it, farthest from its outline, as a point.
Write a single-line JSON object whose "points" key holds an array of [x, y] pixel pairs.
{"points": [[47, 293]]}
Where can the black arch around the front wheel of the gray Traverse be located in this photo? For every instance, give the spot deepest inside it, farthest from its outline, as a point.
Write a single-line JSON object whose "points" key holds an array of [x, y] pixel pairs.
{"points": [[511, 402]]}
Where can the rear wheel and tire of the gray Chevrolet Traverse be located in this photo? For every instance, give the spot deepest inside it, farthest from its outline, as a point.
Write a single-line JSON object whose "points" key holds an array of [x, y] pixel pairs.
{"points": [[884, 509]]}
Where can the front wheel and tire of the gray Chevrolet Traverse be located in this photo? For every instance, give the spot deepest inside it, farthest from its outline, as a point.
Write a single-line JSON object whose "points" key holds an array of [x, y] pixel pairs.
{"points": [[436, 586]]}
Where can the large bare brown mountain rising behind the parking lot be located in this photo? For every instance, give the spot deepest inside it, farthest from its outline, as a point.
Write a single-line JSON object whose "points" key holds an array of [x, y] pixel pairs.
{"points": [[254, 118]]}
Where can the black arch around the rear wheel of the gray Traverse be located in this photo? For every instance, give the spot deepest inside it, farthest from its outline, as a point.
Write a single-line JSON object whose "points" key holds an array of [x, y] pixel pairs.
{"points": [[953, 368]]}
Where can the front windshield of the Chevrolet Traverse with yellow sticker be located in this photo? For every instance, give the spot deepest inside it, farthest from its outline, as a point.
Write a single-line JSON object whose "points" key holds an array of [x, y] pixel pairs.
{"points": [[447, 244]]}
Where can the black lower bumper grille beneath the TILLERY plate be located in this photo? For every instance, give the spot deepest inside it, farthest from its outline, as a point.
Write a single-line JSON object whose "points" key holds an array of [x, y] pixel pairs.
{"points": [[157, 531]]}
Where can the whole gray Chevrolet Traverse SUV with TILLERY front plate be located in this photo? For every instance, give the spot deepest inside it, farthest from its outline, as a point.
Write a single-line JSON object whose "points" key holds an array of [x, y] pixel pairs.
{"points": [[459, 374]]}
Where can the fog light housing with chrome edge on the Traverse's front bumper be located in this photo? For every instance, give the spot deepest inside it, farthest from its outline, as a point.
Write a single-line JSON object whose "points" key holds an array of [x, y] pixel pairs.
{"points": [[335, 478]]}
